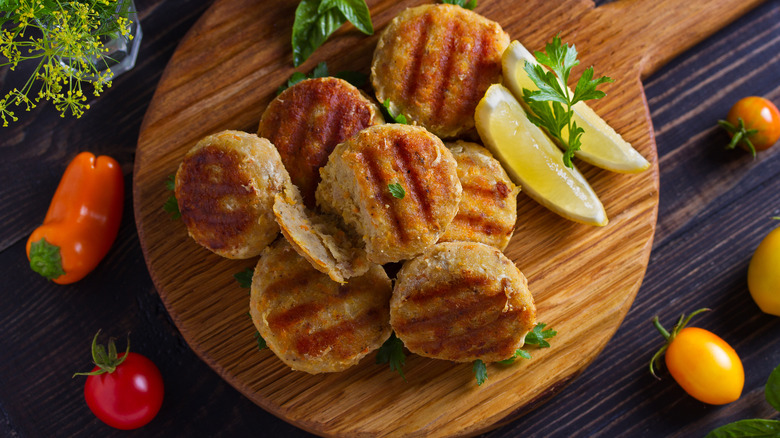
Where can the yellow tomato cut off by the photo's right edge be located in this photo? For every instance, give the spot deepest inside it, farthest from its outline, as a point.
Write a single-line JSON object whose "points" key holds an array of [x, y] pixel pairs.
{"points": [[764, 274]]}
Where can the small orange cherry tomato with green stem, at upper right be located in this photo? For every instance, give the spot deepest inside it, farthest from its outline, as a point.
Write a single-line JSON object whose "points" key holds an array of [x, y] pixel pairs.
{"points": [[757, 114]]}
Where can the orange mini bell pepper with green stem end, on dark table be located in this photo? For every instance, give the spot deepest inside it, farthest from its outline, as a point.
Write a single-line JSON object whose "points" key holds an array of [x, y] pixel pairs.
{"points": [[82, 221]]}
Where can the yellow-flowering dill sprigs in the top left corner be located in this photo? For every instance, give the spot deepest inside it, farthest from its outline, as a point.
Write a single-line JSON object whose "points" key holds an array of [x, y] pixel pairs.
{"points": [[47, 31]]}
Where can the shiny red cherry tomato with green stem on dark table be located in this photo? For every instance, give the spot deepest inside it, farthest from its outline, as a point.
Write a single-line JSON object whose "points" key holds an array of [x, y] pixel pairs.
{"points": [[125, 391]]}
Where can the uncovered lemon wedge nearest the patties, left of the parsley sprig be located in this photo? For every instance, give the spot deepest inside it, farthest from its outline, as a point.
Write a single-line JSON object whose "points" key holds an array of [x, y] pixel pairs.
{"points": [[533, 161]]}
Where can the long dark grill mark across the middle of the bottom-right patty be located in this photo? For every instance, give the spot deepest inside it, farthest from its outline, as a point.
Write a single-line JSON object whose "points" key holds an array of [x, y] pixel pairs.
{"points": [[438, 318]]}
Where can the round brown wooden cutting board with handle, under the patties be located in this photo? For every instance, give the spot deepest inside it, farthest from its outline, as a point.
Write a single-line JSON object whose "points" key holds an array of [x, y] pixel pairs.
{"points": [[584, 279]]}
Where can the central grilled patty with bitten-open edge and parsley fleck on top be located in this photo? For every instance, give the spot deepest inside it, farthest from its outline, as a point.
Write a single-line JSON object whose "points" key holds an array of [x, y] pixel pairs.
{"points": [[355, 184]]}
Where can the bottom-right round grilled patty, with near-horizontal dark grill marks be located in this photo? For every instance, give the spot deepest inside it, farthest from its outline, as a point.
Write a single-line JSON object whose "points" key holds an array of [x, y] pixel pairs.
{"points": [[462, 301]]}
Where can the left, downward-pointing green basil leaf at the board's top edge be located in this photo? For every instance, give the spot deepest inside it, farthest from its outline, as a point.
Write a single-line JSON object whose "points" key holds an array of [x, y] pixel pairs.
{"points": [[311, 28]]}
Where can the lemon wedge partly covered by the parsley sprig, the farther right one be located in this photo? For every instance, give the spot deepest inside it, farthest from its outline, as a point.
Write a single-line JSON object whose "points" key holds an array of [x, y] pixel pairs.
{"points": [[601, 145]]}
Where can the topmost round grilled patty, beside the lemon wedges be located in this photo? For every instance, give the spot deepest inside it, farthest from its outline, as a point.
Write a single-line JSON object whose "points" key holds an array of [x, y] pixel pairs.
{"points": [[435, 62]]}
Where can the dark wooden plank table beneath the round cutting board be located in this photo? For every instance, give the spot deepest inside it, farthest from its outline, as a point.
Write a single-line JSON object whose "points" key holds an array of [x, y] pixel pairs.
{"points": [[715, 208]]}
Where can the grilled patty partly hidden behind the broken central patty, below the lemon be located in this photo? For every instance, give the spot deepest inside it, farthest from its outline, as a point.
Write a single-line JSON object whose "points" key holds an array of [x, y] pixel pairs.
{"points": [[488, 209]]}
